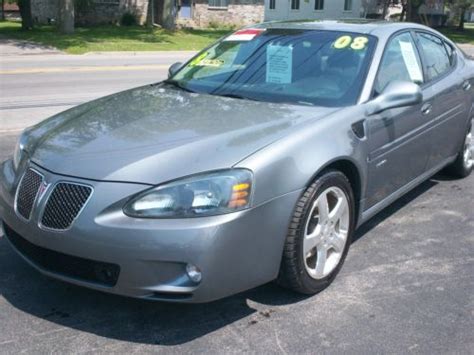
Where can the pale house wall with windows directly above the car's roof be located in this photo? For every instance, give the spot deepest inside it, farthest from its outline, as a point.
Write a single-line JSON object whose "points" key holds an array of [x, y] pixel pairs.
{"points": [[333, 9]]}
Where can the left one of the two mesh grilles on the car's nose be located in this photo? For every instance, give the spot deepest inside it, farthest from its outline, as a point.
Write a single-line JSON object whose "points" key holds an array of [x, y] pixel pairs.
{"points": [[27, 193]]}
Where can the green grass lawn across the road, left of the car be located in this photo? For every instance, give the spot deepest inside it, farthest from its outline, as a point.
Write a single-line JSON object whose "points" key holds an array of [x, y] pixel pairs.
{"points": [[113, 38]]}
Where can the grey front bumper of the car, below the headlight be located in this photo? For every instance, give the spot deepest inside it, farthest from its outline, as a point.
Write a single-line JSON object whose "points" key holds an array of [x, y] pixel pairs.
{"points": [[235, 252]]}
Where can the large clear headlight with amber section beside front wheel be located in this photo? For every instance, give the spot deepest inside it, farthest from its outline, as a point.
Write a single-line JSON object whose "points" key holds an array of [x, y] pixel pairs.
{"points": [[201, 195]]}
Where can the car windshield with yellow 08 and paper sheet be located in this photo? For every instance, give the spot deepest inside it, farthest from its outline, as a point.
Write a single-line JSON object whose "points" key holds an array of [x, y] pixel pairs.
{"points": [[324, 68]]}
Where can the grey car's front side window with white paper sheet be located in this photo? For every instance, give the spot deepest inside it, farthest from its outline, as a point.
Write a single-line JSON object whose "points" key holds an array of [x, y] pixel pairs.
{"points": [[400, 62]]}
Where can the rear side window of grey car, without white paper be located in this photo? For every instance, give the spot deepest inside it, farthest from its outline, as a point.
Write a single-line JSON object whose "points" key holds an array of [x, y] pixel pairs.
{"points": [[435, 56]]}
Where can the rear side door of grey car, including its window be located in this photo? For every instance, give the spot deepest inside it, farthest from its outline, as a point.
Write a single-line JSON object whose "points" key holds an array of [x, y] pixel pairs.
{"points": [[449, 106]]}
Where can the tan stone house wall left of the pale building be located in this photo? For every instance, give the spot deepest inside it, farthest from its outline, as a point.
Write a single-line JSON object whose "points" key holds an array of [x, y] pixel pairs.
{"points": [[238, 13]]}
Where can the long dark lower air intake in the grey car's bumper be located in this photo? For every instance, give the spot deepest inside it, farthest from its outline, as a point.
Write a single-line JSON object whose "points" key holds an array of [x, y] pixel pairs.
{"points": [[66, 265]]}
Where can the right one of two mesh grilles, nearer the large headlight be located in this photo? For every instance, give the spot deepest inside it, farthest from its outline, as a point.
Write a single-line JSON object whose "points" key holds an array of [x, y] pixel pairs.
{"points": [[64, 205]]}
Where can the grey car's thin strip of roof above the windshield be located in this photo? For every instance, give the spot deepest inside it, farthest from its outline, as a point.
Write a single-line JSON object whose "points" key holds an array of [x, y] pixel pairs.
{"points": [[346, 25]]}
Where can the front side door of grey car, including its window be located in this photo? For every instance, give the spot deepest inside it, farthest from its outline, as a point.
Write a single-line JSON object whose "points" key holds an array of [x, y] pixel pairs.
{"points": [[397, 151]]}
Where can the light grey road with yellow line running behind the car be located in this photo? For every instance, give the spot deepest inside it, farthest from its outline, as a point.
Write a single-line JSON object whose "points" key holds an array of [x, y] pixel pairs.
{"points": [[34, 87]]}
